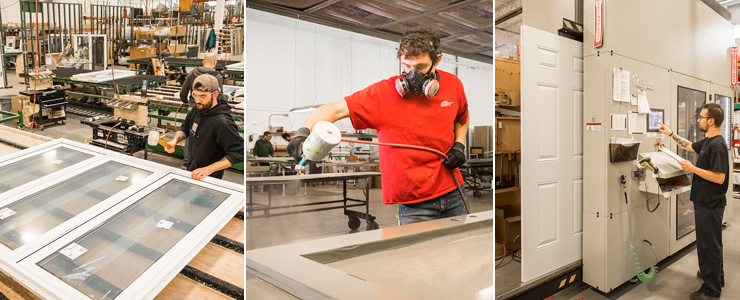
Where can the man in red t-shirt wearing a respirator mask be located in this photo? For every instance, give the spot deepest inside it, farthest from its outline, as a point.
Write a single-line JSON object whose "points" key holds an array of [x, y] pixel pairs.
{"points": [[423, 107]]}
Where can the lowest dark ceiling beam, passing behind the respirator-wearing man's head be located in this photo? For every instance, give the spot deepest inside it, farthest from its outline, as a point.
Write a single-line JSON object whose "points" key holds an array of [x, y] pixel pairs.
{"points": [[297, 14]]}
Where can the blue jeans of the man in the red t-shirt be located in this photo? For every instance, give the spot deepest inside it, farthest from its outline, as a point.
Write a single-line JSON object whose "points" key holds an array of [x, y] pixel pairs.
{"points": [[445, 206]]}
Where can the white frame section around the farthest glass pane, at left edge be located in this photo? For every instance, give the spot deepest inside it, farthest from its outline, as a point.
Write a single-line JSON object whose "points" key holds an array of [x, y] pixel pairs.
{"points": [[38, 150]]}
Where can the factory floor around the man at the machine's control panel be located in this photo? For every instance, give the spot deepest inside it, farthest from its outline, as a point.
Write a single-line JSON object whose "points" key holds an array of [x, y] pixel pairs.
{"points": [[676, 277]]}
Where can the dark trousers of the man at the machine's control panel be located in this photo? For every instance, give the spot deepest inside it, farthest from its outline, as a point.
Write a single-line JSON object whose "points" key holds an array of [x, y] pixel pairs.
{"points": [[709, 248]]}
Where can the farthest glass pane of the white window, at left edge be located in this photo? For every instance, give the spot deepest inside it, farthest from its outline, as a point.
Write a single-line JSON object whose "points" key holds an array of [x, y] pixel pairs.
{"points": [[37, 166]]}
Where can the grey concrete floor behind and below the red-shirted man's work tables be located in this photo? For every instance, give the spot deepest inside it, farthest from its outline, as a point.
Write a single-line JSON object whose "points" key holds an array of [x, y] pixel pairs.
{"points": [[279, 230]]}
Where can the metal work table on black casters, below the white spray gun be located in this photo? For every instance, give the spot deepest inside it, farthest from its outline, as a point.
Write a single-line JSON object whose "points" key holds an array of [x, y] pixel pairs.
{"points": [[354, 216]]}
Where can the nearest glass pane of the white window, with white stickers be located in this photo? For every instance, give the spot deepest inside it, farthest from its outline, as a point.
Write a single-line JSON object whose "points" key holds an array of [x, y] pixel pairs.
{"points": [[124, 247]]}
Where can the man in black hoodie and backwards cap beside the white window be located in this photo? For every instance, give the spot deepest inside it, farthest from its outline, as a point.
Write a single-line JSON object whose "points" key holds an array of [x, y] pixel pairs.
{"points": [[213, 138]]}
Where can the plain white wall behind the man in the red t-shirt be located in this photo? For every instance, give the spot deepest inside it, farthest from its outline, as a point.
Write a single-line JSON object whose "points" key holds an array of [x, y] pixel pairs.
{"points": [[293, 63]]}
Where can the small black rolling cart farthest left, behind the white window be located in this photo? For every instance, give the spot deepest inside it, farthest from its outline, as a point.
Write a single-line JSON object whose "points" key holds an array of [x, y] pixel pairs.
{"points": [[52, 106]]}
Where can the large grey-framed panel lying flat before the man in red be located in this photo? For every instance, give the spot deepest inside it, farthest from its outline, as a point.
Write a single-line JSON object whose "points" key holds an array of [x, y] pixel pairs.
{"points": [[391, 263]]}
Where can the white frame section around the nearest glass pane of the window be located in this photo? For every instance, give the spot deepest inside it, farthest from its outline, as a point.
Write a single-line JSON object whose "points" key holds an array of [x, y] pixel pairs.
{"points": [[160, 273]]}
